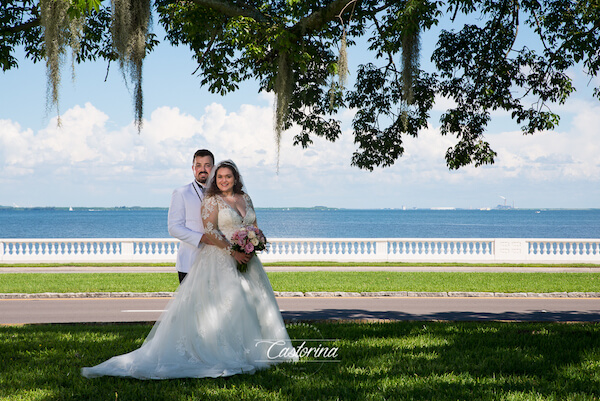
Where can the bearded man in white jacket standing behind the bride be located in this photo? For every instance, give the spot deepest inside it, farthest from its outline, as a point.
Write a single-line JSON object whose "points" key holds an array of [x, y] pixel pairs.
{"points": [[185, 222]]}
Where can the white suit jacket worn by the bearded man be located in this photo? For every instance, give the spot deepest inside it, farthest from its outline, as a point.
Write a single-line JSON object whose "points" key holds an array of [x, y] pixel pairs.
{"points": [[185, 224]]}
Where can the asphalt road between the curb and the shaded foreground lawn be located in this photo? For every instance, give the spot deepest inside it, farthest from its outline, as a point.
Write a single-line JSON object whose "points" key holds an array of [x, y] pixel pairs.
{"points": [[91, 310]]}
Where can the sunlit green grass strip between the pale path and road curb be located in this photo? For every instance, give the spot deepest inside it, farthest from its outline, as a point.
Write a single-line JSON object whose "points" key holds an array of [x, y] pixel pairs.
{"points": [[312, 281]]}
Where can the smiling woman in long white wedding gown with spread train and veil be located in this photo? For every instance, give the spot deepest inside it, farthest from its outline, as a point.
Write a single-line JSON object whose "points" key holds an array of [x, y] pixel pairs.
{"points": [[220, 322]]}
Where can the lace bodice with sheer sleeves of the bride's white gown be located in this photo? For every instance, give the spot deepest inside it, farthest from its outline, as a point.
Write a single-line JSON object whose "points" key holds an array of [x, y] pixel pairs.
{"points": [[221, 220]]}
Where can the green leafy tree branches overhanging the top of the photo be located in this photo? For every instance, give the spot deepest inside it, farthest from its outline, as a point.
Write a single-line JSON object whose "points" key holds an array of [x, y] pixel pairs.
{"points": [[293, 48]]}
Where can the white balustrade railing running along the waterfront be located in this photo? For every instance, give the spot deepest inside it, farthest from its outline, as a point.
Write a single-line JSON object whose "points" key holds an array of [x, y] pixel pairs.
{"points": [[478, 250]]}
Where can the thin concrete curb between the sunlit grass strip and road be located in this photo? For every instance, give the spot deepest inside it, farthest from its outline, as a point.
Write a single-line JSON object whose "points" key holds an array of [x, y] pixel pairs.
{"points": [[337, 294]]}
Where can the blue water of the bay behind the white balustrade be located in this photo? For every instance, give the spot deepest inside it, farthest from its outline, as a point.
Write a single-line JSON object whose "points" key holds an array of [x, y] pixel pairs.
{"points": [[312, 223]]}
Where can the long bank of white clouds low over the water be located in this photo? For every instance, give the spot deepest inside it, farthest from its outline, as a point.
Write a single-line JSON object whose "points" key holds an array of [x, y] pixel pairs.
{"points": [[116, 165]]}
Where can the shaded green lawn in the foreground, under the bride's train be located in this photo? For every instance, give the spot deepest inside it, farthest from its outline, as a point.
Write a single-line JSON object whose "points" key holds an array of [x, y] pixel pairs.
{"points": [[377, 361]]}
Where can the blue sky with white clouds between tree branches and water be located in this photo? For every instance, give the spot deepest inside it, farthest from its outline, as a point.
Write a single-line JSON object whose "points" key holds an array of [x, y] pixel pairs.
{"points": [[97, 158]]}
